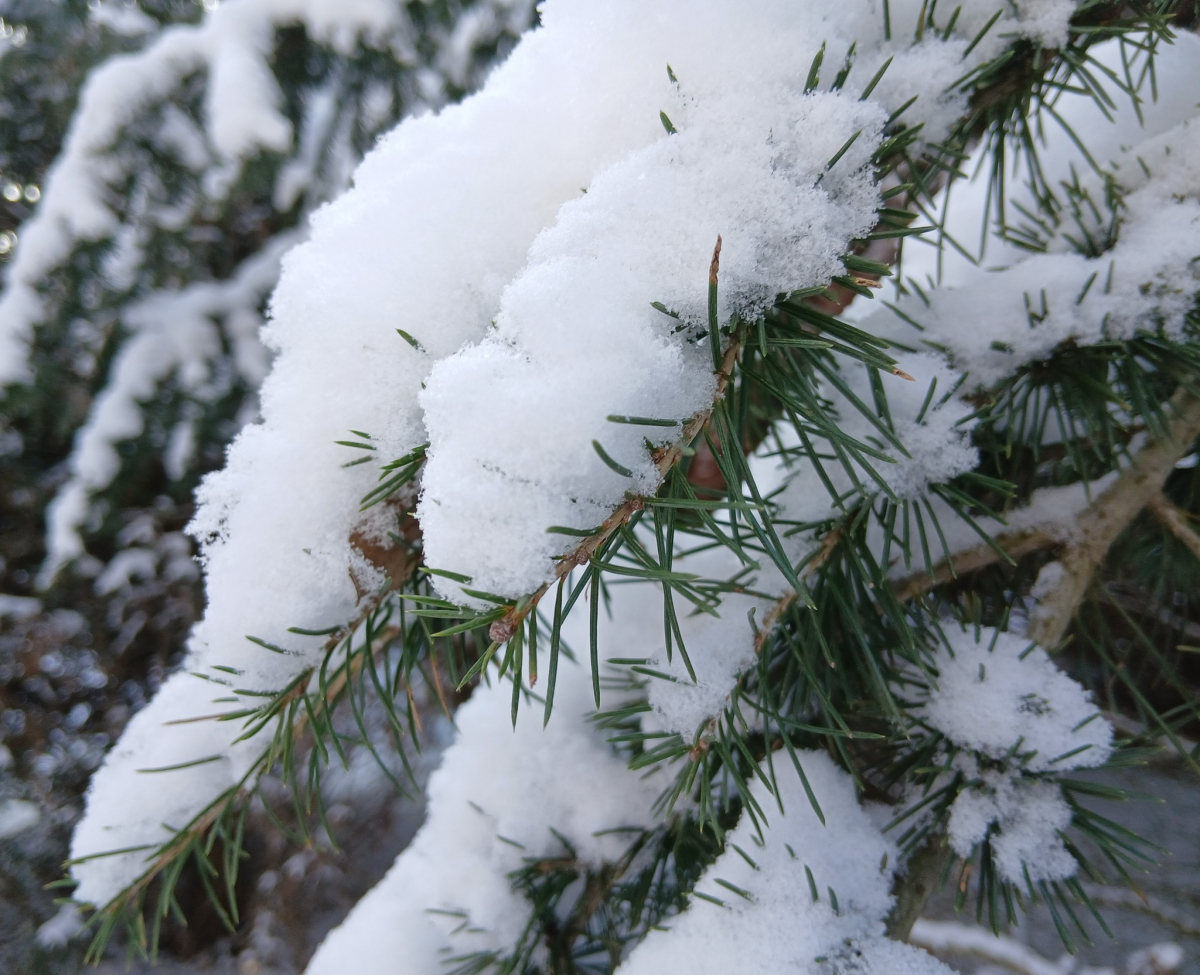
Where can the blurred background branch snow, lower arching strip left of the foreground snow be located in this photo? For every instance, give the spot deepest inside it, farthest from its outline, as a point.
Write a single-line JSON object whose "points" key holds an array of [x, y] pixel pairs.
{"points": [[176, 333]]}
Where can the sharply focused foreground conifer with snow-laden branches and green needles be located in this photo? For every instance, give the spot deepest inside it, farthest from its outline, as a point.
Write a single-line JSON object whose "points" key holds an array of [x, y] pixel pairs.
{"points": [[760, 612]]}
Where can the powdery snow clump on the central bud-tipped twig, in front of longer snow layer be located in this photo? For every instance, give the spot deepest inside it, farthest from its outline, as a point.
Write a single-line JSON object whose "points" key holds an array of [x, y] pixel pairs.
{"points": [[513, 421]]}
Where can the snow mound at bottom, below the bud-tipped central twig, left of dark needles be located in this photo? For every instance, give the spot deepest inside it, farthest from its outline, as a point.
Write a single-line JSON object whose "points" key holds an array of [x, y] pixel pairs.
{"points": [[493, 806]]}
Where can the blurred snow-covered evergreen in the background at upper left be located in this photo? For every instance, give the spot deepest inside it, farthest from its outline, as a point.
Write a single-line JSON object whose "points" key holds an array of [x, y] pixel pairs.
{"points": [[155, 163]]}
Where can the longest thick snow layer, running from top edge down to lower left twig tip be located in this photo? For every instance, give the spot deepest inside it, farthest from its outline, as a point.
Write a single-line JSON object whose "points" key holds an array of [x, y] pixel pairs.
{"points": [[442, 217]]}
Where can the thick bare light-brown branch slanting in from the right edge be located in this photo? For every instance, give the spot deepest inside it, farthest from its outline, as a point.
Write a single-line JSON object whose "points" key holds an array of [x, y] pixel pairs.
{"points": [[1100, 525]]}
